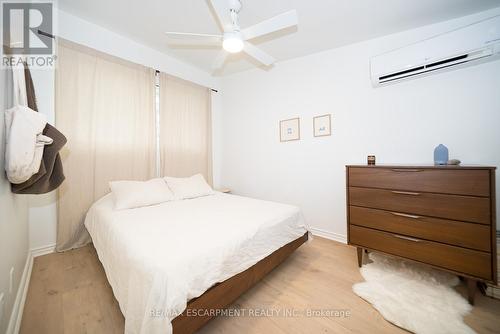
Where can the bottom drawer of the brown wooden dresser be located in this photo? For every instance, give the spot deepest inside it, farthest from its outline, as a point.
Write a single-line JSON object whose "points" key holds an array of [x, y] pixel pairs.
{"points": [[471, 262]]}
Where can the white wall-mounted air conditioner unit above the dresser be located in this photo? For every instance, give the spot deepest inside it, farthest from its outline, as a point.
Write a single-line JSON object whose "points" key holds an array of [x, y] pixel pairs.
{"points": [[473, 44]]}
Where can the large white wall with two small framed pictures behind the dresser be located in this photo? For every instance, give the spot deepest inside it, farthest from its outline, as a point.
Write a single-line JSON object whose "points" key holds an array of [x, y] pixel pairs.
{"points": [[401, 123]]}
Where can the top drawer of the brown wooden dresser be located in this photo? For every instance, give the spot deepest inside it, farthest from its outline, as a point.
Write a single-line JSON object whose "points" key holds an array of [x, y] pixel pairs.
{"points": [[446, 181]]}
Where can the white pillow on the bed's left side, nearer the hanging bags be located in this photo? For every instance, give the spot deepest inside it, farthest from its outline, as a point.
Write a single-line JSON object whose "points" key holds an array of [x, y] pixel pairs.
{"points": [[134, 194]]}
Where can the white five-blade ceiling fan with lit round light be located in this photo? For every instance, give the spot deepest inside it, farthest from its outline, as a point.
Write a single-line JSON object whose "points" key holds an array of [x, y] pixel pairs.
{"points": [[234, 39]]}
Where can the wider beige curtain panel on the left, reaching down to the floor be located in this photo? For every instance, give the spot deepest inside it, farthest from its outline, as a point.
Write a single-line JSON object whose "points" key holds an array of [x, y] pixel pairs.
{"points": [[105, 107]]}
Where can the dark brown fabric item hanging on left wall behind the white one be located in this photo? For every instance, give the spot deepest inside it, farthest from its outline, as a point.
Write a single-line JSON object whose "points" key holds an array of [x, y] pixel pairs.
{"points": [[50, 174]]}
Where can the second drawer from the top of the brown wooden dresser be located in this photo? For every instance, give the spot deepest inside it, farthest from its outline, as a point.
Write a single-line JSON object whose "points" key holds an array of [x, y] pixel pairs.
{"points": [[462, 208]]}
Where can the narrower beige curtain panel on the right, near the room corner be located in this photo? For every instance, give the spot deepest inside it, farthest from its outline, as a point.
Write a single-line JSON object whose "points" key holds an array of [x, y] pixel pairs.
{"points": [[185, 128]]}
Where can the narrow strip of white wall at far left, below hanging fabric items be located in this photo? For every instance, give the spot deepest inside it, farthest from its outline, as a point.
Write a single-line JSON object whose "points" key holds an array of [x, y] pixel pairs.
{"points": [[13, 221]]}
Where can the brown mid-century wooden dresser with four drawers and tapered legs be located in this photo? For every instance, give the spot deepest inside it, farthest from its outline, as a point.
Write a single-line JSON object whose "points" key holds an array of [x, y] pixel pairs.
{"points": [[443, 216]]}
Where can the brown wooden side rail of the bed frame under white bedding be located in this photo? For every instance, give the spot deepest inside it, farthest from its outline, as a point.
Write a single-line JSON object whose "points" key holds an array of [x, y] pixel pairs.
{"points": [[223, 294]]}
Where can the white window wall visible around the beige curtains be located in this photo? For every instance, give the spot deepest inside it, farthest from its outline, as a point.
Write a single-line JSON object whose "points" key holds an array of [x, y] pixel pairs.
{"points": [[43, 216]]}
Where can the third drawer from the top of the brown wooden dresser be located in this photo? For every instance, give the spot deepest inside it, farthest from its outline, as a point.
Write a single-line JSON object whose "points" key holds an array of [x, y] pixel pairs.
{"points": [[475, 236]]}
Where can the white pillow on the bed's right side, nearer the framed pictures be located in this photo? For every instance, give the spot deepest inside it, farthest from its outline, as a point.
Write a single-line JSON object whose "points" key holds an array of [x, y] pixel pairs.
{"points": [[189, 187]]}
